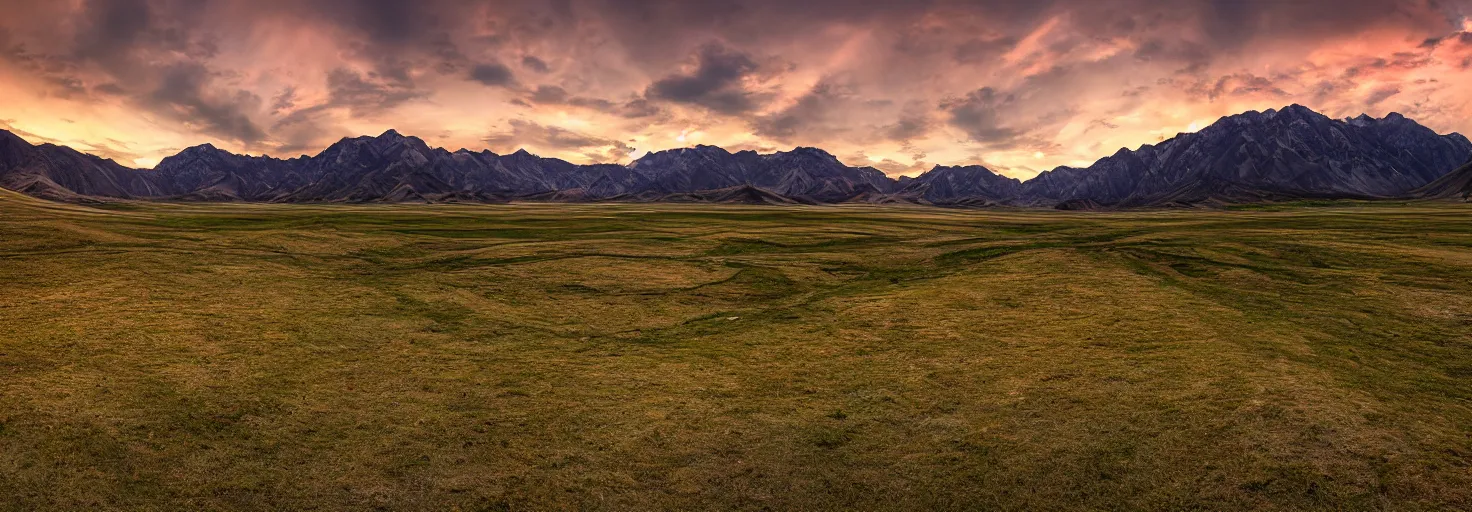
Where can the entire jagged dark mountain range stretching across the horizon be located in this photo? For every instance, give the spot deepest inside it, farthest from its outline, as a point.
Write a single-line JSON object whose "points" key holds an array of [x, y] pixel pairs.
{"points": [[1274, 155]]}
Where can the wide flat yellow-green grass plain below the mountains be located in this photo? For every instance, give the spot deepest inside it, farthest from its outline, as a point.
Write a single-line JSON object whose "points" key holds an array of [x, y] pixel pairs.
{"points": [[644, 357]]}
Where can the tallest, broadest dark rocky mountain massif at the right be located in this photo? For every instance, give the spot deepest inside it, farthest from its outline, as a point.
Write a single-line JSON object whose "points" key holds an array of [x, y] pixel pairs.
{"points": [[1286, 154]]}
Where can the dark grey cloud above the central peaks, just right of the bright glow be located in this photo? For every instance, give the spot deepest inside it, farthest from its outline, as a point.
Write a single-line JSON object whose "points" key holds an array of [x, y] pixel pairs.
{"points": [[716, 83]]}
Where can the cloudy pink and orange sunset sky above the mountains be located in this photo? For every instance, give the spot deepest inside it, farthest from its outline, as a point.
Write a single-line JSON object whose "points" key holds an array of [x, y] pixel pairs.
{"points": [[1019, 86]]}
